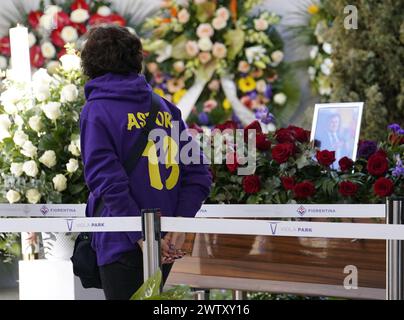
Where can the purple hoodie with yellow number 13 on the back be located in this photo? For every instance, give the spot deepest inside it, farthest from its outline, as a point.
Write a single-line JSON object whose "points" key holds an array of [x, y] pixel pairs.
{"points": [[110, 123]]}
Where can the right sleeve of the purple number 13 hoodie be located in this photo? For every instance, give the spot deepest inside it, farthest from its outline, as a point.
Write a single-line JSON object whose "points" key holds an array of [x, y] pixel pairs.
{"points": [[195, 184]]}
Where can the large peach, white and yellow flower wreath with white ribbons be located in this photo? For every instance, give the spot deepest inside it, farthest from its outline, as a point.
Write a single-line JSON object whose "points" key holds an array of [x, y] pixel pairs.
{"points": [[216, 58]]}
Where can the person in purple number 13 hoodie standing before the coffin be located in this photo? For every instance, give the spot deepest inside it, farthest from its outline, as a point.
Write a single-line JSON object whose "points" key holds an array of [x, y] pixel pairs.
{"points": [[118, 104]]}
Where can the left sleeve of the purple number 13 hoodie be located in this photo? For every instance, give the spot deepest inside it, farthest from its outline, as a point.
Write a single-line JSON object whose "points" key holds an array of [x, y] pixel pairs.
{"points": [[104, 174]]}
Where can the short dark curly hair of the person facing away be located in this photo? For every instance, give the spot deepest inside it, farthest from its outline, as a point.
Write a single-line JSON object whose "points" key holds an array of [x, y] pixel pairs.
{"points": [[110, 48]]}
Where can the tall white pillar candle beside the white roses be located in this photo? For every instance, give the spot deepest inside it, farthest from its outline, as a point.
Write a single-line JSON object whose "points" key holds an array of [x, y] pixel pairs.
{"points": [[20, 57]]}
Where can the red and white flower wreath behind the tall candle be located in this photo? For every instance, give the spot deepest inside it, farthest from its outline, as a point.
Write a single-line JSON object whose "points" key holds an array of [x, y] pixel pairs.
{"points": [[52, 28]]}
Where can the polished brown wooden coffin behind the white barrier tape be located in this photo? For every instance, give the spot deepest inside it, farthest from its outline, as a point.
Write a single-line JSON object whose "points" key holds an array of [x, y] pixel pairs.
{"points": [[309, 266]]}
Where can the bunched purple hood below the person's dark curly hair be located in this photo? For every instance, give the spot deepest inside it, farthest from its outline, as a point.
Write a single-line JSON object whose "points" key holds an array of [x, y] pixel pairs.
{"points": [[132, 87]]}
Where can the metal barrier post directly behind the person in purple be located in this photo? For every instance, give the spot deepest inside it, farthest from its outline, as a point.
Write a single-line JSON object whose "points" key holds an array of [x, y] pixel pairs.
{"points": [[151, 229]]}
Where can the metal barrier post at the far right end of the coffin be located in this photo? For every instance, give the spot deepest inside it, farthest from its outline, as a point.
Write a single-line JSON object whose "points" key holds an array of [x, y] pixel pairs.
{"points": [[395, 251]]}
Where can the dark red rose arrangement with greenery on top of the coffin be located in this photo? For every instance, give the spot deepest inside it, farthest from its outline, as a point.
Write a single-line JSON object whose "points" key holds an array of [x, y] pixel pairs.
{"points": [[294, 170]]}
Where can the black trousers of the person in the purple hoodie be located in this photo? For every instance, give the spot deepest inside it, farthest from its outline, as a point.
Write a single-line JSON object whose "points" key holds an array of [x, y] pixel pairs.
{"points": [[121, 279]]}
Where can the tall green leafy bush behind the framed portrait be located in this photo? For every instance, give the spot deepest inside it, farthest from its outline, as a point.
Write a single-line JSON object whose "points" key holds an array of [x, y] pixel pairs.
{"points": [[368, 62]]}
